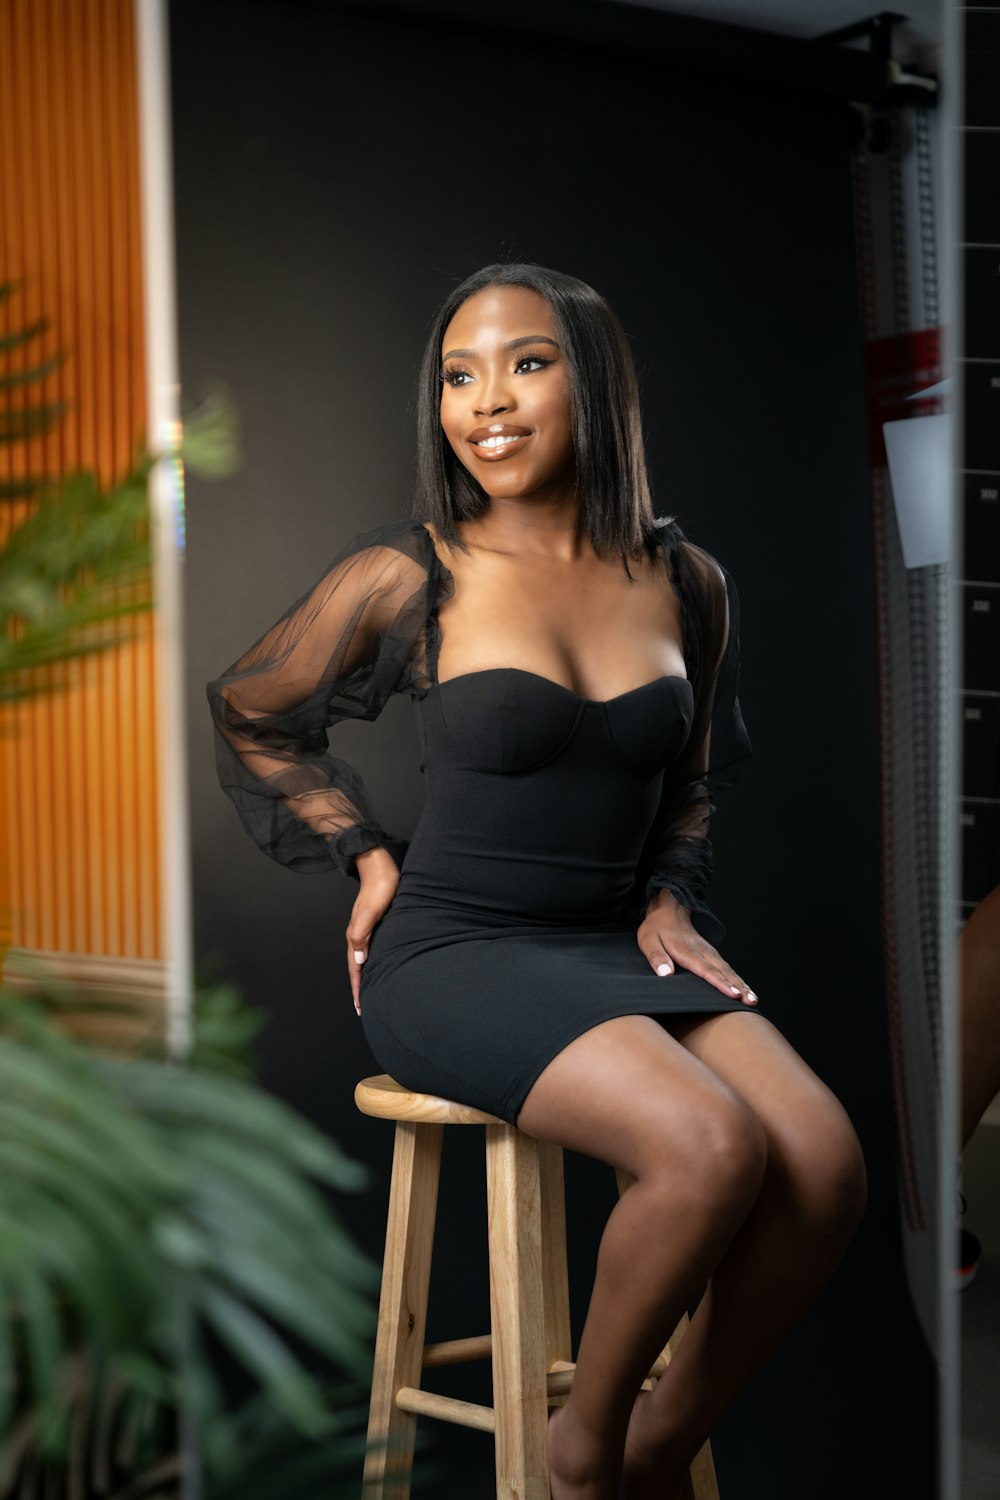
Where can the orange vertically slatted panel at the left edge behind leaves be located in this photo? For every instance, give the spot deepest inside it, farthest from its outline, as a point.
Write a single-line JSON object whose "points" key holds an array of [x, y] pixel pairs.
{"points": [[79, 776]]}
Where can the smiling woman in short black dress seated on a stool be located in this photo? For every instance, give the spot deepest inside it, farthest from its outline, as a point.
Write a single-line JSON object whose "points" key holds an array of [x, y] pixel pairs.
{"points": [[542, 947]]}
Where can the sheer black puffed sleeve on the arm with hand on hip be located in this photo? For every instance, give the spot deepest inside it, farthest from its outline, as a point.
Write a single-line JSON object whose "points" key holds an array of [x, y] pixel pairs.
{"points": [[340, 652]]}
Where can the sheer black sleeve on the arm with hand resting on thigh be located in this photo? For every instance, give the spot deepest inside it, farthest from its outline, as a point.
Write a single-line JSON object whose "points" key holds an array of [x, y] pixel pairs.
{"points": [[678, 851]]}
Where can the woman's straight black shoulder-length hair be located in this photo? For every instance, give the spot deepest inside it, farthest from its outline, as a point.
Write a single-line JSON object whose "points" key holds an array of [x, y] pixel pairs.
{"points": [[611, 461]]}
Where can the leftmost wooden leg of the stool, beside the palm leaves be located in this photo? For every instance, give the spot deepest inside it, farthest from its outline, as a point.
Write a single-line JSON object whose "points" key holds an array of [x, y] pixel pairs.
{"points": [[403, 1309]]}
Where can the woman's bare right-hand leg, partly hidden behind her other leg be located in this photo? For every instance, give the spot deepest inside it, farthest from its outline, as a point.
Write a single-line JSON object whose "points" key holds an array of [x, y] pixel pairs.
{"points": [[809, 1208]]}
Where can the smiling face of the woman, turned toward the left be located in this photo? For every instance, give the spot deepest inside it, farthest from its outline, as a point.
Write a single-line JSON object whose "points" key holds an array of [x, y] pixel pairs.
{"points": [[504, 379]]}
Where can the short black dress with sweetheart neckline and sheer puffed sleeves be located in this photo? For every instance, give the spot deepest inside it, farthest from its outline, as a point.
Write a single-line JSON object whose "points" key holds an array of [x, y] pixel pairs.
{"points": [[549, 818]]}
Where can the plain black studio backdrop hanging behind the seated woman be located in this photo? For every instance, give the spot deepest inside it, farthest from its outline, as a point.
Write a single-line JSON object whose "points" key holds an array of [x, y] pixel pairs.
{"points": [[337, 170]]}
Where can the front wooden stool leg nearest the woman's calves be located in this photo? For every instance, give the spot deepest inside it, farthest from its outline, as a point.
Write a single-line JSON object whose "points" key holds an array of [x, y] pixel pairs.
{"points": [[513, 1186]]}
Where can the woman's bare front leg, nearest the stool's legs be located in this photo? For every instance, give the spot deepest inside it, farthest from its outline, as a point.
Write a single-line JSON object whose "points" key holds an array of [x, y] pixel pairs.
{"points": [[630, 1094]]}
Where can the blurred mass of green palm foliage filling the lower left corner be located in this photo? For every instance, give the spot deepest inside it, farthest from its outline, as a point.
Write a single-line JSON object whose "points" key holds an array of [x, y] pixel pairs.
{"points": [[151, 1211]]}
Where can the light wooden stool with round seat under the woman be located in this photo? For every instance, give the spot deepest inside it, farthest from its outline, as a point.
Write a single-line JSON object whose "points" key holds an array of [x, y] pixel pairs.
{"points": [[530, 1301]]}
